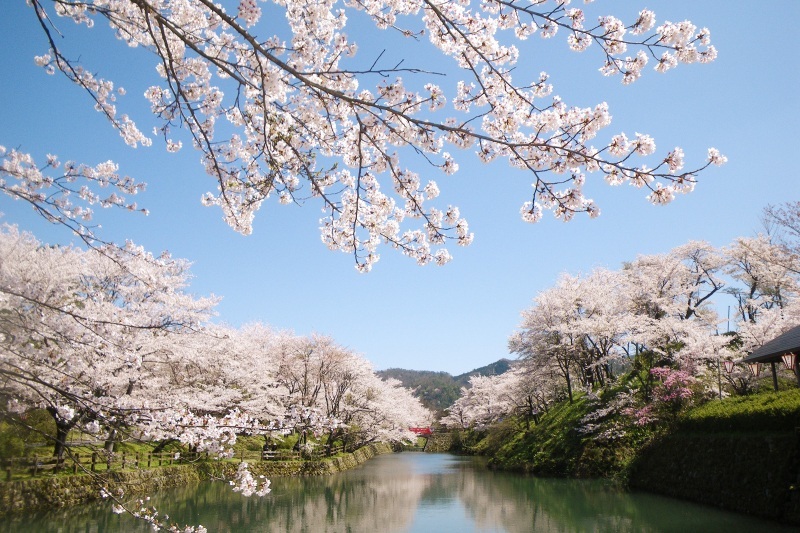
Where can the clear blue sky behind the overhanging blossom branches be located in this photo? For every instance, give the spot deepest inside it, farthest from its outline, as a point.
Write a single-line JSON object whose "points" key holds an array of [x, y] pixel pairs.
{"points": [[457, 317]]}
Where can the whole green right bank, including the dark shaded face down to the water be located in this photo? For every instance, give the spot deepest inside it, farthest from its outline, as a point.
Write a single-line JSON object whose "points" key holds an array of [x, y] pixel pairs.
{"points": [[740, 453]]}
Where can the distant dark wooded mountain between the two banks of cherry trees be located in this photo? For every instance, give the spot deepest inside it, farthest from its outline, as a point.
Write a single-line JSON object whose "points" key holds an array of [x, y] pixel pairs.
{"points": [[439, 390]]}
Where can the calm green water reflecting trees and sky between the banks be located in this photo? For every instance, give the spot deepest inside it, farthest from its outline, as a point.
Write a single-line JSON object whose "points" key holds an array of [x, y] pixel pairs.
{"points": [[411, 492]]}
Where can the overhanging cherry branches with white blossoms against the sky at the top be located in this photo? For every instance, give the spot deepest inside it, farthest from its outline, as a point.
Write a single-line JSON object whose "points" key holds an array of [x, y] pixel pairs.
{"points": [[297, 112]]}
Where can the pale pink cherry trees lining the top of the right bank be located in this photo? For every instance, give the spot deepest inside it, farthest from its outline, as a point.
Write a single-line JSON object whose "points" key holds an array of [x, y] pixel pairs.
{"points": [[652, 323]]}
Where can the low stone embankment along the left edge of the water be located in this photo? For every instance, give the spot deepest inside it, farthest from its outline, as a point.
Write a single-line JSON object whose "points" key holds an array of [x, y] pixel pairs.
{"points": [[62, 491]]}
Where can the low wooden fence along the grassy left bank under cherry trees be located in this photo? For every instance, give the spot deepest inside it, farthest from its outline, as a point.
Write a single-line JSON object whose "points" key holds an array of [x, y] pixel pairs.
{"points": [[101, 461]]}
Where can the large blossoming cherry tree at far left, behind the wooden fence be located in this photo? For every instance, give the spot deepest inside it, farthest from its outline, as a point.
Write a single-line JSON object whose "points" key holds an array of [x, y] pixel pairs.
{"points": [[78, 326]]}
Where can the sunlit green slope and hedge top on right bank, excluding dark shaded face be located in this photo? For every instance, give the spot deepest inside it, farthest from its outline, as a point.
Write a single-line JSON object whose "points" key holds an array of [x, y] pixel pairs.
{"points": [[557, 447]]}
